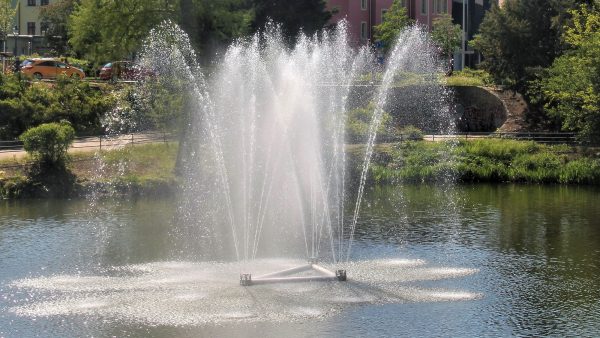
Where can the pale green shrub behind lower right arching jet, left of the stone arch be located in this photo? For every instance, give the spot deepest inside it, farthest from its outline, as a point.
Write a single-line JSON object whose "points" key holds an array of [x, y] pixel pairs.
{"points": [[359, 121]]}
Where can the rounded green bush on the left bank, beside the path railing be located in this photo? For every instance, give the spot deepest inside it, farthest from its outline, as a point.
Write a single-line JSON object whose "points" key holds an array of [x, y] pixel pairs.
{"points": [[48, 143]]}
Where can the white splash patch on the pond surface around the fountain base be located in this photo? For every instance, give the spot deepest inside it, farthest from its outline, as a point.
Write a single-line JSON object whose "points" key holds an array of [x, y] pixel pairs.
{"points": [[183, 293]]}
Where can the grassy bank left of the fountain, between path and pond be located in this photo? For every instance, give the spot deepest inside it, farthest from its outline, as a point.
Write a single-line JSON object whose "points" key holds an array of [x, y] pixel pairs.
{"points": [[132, 170]]}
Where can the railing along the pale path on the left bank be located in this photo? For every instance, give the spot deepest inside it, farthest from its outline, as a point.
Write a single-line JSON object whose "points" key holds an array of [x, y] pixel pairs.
{"points": [[99, 142]]}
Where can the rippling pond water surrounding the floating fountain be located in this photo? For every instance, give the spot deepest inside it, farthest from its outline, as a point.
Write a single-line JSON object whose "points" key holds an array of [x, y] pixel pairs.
{"points": [[473, 260]]}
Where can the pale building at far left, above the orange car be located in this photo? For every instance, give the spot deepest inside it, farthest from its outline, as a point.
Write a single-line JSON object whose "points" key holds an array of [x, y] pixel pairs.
{"points": [[28, 32]]}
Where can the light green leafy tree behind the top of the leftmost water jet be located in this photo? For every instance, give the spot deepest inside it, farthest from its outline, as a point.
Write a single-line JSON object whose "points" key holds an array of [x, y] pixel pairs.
{"points": [[102, 30]]}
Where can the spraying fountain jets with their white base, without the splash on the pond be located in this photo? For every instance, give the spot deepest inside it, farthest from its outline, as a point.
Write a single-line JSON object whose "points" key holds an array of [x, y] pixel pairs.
{"points": [[266, 172]]}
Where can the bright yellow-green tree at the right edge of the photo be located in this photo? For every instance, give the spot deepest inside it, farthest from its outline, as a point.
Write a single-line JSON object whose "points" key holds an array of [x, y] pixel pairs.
{"points": [[572, 87]]}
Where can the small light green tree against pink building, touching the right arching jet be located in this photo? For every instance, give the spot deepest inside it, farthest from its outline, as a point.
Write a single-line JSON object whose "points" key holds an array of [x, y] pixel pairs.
{"points": [[395, 20]]}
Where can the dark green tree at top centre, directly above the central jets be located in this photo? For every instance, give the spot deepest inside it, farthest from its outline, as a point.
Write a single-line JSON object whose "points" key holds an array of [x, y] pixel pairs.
{"points": [[308, 16]]}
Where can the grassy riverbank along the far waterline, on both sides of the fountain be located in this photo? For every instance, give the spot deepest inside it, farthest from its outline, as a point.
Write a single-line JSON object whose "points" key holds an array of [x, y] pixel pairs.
{"points": [[150, 169]]}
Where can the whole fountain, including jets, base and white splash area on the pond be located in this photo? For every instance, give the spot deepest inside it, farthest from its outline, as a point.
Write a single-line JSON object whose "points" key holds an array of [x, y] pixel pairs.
{"points": [[267, 195]]}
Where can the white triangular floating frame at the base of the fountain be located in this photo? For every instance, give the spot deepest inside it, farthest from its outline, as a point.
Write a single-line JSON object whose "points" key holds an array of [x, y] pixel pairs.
{"points": [[284, 276]]}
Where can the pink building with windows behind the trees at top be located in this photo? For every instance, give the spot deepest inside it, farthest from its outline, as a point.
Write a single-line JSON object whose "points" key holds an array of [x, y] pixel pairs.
{"points": [[362, 15]]}
